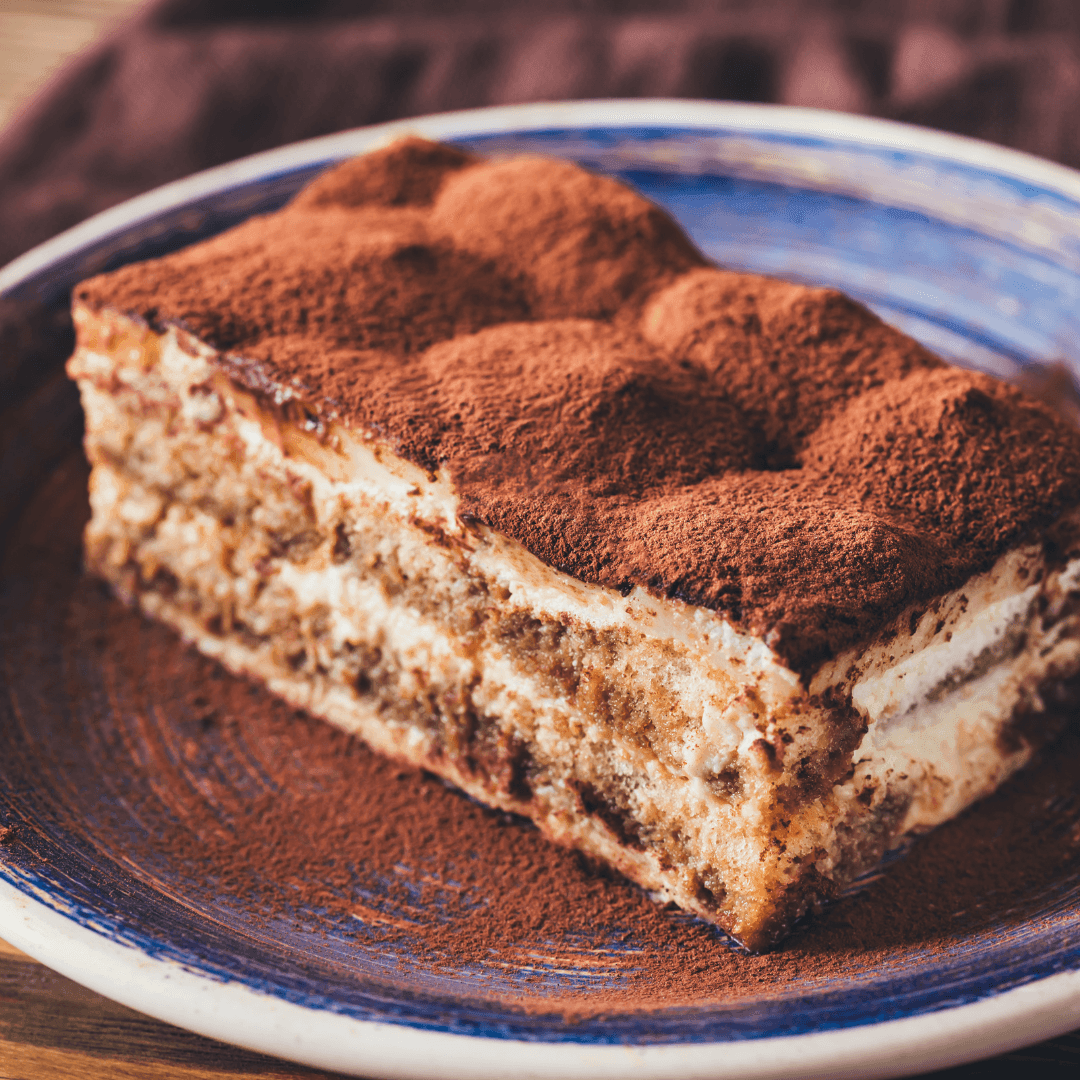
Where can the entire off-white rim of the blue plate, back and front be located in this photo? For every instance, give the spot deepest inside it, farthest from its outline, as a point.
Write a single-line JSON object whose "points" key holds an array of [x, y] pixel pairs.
{"points": [[997, 1023]]}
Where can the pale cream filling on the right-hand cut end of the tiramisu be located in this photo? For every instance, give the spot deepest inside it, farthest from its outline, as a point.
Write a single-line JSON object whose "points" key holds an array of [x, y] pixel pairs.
{"points": [[936, 715]]}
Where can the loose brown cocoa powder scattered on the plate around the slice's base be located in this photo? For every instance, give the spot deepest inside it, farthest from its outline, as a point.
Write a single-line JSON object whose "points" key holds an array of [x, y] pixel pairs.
{"points": [[232, 793]]}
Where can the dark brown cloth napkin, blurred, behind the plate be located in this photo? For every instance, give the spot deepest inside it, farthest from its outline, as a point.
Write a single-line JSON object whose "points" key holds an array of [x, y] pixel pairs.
{"points": [[192, 84]]}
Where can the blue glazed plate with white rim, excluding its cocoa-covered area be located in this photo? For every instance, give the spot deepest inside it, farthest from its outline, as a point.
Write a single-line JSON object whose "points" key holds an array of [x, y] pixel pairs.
{"points": [[971, 249]]}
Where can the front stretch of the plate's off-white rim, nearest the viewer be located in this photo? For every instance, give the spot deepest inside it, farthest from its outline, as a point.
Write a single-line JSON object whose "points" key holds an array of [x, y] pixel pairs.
{"points": [[233, 1012]]}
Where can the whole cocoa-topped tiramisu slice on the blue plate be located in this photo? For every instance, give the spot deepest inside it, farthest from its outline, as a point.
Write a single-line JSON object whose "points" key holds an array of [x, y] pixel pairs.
{"points": [[717, 578]]}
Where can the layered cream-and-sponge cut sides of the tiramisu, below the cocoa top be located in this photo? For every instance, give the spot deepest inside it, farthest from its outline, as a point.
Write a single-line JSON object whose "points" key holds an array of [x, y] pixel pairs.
{"points": [[652, 734]]}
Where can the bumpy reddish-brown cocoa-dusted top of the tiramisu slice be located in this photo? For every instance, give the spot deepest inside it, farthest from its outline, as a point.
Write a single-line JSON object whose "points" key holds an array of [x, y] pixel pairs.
{"points": [[555, 346]]}
